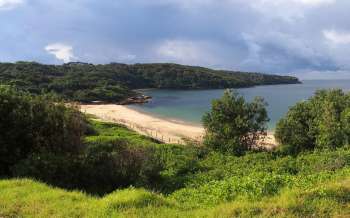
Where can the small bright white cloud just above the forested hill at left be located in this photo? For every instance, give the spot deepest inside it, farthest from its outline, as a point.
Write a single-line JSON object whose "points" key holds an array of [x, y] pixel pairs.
{"points": [[61, 51]]}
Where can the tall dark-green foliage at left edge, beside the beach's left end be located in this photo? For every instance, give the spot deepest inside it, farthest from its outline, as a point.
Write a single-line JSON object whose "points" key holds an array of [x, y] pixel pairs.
{"points": [[36, 124]]}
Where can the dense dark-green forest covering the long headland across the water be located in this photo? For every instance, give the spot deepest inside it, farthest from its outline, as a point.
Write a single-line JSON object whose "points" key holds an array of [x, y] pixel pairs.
{"points": [[115, 82]]}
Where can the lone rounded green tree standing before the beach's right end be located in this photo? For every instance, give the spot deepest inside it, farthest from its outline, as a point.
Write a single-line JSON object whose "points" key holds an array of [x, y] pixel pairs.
{"points": [[234, 125]]}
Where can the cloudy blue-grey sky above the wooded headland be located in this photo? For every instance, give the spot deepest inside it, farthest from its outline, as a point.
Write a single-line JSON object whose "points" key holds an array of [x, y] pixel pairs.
{"points": [[306, 38]]}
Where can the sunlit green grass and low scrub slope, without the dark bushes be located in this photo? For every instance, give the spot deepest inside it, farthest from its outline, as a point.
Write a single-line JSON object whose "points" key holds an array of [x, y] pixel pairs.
{"points": [[199, 183]]}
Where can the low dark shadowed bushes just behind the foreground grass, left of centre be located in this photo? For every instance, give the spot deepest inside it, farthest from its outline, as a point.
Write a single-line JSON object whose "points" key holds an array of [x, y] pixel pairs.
{"points": [[101, 169]]}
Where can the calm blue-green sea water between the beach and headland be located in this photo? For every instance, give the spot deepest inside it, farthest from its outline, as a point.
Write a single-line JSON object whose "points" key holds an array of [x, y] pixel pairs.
{"points": [[191, 105]]}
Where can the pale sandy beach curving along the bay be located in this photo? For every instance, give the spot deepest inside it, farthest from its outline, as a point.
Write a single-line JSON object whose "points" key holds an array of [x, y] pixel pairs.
{"points": [[165, 130]]}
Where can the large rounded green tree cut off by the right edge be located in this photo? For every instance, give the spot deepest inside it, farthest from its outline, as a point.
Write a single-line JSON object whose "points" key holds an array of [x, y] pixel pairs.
{"points": [[320, 122]]}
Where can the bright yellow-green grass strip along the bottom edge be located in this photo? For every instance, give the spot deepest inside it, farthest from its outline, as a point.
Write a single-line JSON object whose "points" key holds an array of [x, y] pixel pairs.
{"points": [[27, 198]]}
